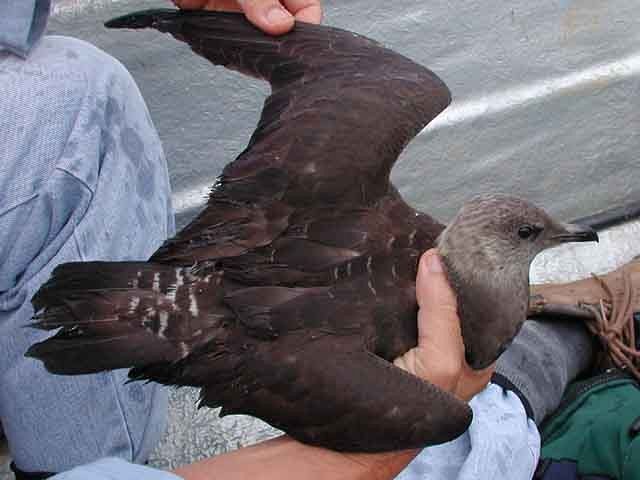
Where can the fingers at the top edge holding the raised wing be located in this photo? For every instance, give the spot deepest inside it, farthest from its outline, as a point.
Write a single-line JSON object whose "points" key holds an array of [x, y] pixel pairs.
{"points": [[271, 16]]}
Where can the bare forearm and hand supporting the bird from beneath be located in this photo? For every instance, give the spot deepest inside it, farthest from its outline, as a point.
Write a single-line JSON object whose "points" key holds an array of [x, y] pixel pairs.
{"points": [[438, 358]]}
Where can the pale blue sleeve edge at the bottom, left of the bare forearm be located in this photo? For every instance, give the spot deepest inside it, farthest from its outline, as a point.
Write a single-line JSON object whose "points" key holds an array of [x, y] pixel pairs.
{"points": [[111, 468]]}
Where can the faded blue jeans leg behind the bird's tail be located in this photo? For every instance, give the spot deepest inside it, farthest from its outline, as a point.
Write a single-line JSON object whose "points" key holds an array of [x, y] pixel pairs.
{"points": [[82, 177]]}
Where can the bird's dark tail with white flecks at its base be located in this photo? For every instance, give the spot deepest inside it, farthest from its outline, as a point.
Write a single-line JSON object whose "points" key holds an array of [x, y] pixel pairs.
{"points": [[125, 315]]}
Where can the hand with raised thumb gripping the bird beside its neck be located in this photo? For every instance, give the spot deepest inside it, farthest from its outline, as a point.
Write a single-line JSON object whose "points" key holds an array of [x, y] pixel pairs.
{"points": [[439, 356]]}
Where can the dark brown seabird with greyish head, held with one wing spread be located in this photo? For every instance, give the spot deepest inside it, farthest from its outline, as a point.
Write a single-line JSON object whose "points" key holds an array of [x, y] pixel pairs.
{"points": [[288, 297]]}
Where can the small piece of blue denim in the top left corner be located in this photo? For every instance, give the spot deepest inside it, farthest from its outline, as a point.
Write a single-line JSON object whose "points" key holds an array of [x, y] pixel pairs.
{"points": [[22, 23]]}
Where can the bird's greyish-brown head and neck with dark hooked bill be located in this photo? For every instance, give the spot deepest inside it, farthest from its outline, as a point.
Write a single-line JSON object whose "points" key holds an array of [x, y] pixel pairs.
{"points": [[488, 249]]}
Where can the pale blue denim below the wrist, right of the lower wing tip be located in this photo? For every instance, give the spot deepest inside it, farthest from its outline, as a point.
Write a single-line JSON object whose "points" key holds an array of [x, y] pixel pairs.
{"points": [[502, 443]]}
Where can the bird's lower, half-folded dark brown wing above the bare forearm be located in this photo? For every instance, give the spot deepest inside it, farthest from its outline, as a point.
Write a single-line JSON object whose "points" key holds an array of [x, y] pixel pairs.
{"points": [[312, 395]]}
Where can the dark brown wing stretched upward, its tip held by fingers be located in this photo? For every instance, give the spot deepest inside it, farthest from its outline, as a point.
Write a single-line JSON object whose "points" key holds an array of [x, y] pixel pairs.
{"points": [[342, 109]]}
